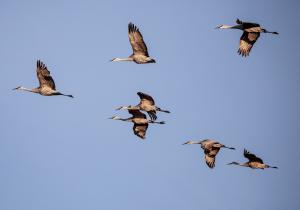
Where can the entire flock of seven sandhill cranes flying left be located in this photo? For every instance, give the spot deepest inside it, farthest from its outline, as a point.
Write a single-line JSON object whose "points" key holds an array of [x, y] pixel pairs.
{"points": [[140, 55]]}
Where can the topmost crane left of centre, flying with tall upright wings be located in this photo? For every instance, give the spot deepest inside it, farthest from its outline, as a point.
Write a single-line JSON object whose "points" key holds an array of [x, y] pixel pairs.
{"points": [[140, 53]]}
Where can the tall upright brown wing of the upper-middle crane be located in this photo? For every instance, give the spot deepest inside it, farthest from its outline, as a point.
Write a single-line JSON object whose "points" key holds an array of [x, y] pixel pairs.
{"points": [[136, 40]]}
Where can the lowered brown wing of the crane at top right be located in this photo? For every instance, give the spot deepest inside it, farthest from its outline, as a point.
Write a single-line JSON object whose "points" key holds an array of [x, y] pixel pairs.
{"points": [[247, 41]]}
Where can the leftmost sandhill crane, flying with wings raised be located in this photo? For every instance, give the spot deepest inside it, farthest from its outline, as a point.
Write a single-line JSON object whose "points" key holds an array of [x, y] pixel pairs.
{"points": [[47, 85]]}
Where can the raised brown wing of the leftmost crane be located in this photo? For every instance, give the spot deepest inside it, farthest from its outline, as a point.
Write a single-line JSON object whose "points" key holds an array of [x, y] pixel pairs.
{"points": [[44, 76]]}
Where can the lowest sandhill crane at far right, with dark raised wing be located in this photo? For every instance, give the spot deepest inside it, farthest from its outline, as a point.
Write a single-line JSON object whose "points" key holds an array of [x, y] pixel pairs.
{"points": [[254, 162]]}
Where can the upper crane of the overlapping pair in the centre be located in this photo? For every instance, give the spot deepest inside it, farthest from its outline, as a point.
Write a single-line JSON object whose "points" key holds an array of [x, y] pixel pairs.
{"points": [[146, 104]]}
